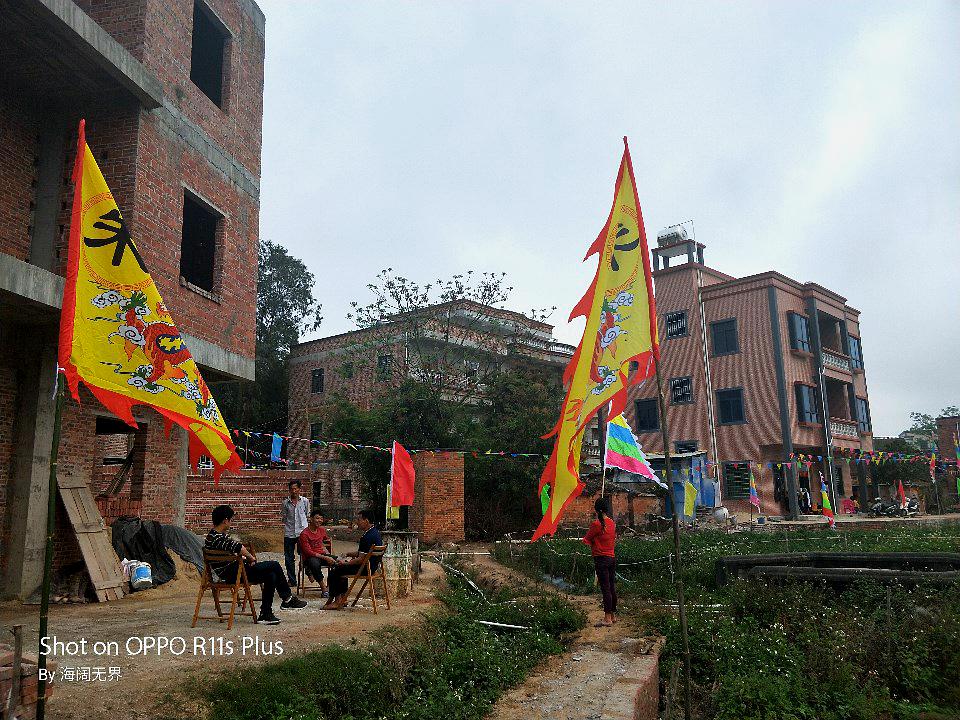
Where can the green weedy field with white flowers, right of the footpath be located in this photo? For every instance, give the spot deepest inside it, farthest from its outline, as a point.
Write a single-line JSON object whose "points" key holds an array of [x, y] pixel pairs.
{"points": [[799, 651]]}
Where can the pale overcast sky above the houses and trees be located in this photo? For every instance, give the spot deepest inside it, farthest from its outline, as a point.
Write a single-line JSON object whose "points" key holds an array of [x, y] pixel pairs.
{"points": [[818, 139]]}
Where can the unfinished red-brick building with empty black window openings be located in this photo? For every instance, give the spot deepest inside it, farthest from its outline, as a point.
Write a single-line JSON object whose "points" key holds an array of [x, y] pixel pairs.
{"points": [[172, 94]]}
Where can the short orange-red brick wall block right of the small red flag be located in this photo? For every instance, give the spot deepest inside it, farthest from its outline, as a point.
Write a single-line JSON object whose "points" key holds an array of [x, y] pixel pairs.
{"points": [[437, 511]]}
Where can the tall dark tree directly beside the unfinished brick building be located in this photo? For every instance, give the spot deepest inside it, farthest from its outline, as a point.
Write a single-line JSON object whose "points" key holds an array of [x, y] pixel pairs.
{"points": [[285, 309]]}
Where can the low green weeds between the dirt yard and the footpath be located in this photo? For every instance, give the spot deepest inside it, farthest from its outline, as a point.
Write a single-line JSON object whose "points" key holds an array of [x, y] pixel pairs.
{"points": [[450, 666]]}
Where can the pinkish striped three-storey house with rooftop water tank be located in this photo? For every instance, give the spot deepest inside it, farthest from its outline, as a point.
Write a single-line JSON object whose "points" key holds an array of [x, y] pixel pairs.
{"points": [[760, 369]]}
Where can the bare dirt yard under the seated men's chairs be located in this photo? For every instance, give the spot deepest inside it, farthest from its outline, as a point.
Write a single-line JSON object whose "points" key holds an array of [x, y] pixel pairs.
{"points": [[150, 686]]}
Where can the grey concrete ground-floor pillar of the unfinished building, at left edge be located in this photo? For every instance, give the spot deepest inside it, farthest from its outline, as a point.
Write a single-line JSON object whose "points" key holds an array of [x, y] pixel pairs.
{"points": [[30, 474]]}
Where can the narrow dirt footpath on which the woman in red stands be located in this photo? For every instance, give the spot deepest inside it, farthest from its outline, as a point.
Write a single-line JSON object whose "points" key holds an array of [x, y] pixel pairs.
{"points": [[577, 684]]}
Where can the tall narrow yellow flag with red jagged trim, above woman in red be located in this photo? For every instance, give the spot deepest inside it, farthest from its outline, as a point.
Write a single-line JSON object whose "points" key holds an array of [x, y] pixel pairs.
{"points": [[621, 327]]}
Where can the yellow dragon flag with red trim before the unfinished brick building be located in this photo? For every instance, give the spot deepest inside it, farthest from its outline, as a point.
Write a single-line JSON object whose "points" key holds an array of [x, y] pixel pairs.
{"points": [[116, 335]]}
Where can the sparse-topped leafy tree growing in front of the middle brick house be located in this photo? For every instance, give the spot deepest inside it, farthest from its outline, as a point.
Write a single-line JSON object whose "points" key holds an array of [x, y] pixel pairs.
{"points": [[466, 378]]}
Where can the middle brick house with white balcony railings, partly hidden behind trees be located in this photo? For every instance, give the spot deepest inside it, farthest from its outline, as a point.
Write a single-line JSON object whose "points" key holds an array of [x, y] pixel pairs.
{"points": [[454, 346]]}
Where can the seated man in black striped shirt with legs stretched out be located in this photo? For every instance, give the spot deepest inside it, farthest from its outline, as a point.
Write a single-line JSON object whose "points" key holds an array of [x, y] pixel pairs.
{"points": [[269, 573]]}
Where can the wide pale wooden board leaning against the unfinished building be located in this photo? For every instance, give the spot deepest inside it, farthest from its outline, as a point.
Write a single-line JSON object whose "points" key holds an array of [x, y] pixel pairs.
{"points": [[95, 547]]}
